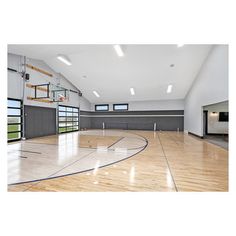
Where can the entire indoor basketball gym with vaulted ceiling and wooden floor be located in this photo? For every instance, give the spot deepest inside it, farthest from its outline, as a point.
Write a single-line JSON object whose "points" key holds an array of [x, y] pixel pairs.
{"points": [[117, 117]]}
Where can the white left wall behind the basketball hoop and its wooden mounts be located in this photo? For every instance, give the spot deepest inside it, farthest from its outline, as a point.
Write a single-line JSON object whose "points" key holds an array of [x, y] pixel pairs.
{"points": [[15, 83]]}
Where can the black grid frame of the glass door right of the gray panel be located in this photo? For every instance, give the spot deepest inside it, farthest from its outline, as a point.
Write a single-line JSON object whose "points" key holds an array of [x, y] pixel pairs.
{"points": [[72, 122]]}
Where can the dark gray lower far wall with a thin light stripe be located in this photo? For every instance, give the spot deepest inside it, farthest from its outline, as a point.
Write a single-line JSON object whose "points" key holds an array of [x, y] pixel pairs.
{"points": [[165, 120]]}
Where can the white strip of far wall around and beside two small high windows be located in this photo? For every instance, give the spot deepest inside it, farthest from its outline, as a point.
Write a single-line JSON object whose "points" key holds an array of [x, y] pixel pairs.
{"points": [[150, 105]]}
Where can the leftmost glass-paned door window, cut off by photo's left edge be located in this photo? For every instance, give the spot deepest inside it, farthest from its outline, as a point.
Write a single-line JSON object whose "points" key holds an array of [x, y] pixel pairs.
{"points": [[14, 119]]}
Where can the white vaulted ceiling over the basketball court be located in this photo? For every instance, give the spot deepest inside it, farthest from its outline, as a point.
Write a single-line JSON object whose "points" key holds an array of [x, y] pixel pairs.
{"points": [[146, 68]]}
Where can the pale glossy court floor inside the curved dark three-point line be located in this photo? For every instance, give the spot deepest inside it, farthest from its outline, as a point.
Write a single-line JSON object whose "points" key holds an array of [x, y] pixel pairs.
{"points": [[70, 153]]}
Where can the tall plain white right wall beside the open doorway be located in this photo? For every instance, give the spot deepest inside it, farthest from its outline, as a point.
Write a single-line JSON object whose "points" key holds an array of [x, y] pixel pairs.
{"points": [[210, 86]]}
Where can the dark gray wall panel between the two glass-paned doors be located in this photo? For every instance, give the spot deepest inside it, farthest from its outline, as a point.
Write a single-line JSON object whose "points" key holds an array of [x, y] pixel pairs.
{"points": [[39, 121]]}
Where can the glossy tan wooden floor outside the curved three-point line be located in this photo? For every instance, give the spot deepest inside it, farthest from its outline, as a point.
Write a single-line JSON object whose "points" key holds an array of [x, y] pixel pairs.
{"points": [[172, 161]]}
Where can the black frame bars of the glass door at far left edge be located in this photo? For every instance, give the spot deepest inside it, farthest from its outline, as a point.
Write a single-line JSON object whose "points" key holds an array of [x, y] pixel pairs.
{"points": [[17, 116]]}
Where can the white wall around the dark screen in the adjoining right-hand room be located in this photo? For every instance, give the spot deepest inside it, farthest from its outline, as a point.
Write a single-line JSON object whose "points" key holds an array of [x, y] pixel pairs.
{"points": [[214, 126]]}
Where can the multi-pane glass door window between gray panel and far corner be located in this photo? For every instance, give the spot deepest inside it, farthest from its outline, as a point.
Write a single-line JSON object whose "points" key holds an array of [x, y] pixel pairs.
{"points": [[68, 119]]}
